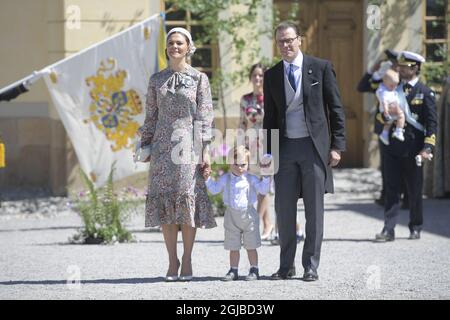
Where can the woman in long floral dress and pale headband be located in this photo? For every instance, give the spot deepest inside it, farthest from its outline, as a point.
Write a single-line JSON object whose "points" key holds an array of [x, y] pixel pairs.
{"points": [[178, 108]]}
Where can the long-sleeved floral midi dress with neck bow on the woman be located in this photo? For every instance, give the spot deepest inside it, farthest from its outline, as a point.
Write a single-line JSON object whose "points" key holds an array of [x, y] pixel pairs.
{"points": [[177, 192]]}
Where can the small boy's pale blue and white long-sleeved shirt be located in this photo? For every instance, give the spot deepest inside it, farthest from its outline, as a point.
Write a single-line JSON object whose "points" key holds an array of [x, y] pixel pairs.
{"points": [[239, 189]]}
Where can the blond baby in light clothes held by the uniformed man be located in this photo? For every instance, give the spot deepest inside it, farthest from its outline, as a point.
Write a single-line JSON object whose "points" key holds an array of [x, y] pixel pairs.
{"points": [[390, 106]]}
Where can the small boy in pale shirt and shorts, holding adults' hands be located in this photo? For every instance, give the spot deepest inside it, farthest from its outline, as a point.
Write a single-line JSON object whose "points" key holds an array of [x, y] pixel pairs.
{"points": [[241, 221]]}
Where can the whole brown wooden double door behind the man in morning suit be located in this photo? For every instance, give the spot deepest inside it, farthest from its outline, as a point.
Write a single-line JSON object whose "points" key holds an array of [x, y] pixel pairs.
{"points": [[332, 30]]}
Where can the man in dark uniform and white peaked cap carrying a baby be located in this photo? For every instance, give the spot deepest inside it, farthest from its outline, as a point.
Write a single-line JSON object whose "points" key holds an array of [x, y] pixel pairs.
{"points": [[400, 157]]}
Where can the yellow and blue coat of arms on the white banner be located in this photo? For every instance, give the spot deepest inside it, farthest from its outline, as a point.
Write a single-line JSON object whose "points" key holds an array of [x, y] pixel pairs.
{"points": [[113, 109]]}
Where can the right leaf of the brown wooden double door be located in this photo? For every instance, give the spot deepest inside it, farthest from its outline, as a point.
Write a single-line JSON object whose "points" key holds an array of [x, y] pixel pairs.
{"points": [[340, 40]]}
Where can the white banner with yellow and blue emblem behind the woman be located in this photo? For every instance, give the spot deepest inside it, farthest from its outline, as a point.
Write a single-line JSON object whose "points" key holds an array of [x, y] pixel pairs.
{"points": [[99, 94]]}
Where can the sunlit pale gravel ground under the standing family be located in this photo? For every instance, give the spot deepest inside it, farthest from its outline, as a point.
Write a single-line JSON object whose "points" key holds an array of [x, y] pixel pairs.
{"points": [[36, 260]]}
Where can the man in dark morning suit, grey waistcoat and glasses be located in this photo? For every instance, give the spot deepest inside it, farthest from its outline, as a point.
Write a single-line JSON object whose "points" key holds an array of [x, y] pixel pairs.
{"points": [[302, 101]]}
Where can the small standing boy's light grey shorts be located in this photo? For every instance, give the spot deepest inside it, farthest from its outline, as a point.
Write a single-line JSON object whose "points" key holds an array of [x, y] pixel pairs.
{"points": [[241, 227]]}
